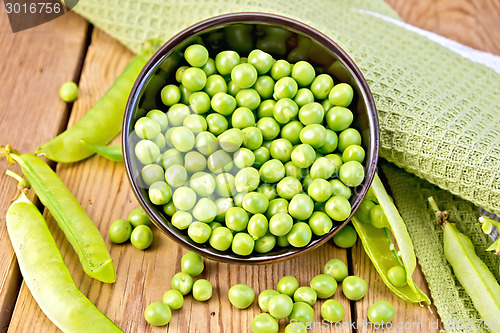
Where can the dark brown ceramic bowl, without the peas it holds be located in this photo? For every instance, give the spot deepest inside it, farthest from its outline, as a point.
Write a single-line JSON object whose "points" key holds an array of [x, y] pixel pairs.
{"points": [[284, 38]]}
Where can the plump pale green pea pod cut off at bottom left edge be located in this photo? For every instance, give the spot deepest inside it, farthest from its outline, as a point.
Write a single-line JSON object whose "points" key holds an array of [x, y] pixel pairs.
{"points": [[46, 274]]}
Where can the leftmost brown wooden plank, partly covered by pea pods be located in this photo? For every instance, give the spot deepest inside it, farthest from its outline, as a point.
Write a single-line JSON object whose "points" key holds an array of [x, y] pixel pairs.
{"points": [[34, 64]]}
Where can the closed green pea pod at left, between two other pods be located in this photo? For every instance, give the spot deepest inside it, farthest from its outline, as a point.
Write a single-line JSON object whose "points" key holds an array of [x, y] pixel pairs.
{"points": [[78, 228]]}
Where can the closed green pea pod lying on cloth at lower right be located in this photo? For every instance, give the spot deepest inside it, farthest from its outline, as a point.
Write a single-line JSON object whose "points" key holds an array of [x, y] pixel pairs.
{"points": [[471, 272]]}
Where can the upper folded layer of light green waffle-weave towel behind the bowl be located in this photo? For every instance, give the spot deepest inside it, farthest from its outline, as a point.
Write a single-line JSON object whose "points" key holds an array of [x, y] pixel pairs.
{"points": [[439, 112]]}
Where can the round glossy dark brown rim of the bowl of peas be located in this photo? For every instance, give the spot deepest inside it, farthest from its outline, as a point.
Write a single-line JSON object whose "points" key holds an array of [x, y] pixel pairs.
{"points": [[250, 17]]}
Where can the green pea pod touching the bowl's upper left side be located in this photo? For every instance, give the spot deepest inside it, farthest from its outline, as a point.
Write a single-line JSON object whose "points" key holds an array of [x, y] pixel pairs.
{"points": [[102, 122]]}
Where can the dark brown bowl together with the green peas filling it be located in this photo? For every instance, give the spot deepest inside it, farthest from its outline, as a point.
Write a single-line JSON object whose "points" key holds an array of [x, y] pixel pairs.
{"points": [[243, 145]]}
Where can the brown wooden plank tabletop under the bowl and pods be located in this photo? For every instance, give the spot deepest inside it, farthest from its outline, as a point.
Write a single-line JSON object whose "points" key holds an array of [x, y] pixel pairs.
{"points": [[34, 64]]}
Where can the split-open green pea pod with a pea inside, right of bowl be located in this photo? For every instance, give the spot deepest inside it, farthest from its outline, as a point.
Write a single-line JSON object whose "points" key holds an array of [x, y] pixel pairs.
{"points": [[385, 254]]}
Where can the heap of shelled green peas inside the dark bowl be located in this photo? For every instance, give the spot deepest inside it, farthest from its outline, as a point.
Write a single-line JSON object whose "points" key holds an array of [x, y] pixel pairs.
{"points": [[248, 130]]}
